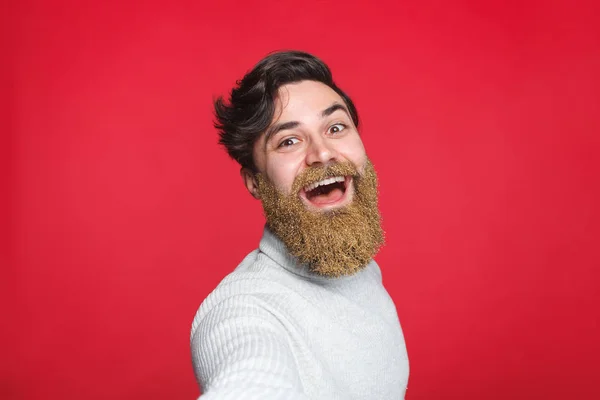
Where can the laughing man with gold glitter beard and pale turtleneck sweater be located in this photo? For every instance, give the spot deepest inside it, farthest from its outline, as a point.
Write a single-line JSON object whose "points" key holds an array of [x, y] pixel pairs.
{"points": [[305, 316]]}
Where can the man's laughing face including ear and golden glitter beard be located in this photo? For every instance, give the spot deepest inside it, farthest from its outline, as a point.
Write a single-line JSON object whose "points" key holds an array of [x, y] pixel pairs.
{"points": [[316, 185]]}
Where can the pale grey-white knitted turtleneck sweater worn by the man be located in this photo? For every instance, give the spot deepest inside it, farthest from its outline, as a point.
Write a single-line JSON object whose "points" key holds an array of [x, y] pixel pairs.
{"points": [[272, 329]]}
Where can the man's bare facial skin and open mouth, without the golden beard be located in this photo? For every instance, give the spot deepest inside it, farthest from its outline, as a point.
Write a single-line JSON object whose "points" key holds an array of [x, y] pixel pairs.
{"points": [[311, 127]]}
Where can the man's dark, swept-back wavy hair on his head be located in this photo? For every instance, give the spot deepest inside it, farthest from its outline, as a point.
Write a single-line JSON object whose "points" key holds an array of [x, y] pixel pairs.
{"points": [[252, 103]]}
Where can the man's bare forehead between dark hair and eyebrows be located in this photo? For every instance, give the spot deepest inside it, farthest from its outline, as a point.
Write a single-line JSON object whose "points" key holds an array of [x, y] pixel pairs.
{"points": [[303, 99]]}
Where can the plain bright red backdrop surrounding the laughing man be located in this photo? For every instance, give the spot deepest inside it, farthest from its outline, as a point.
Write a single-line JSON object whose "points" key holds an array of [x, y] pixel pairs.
{"points": [[123, 213]]}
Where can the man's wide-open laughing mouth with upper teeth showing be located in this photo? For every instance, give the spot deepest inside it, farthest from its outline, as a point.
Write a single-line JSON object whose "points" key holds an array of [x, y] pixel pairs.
{"points": [[327, 193]]}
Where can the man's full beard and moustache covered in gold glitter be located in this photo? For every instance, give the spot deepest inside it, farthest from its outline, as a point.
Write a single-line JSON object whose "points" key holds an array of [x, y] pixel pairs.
{"points": [[331, 243]]}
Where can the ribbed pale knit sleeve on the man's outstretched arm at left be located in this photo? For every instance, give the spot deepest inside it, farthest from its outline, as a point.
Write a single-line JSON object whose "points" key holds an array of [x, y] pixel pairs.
{"points": [[240, 351]]}
